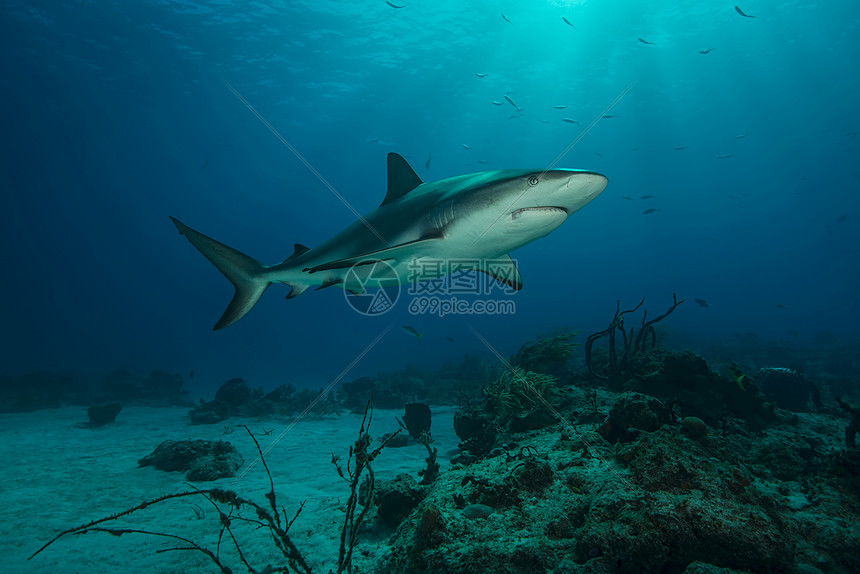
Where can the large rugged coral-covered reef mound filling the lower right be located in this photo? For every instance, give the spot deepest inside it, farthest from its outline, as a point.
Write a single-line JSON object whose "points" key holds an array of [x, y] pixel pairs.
{"points": [[661, 502]]}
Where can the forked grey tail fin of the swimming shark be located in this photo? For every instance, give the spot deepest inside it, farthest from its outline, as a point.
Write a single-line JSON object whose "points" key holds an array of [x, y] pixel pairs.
{"points": [[243, 272]]}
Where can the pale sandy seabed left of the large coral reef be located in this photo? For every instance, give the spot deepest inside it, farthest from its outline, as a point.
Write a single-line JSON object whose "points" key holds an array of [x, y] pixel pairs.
{"points": [[58, 473]]}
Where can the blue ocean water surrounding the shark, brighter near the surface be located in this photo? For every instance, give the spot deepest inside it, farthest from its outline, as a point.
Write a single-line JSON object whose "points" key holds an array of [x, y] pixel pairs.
{"points": [[117, 115]]}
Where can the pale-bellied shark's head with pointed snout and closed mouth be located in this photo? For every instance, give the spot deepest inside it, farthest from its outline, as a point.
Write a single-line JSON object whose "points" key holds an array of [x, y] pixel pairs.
{"points": [[504, 210]]}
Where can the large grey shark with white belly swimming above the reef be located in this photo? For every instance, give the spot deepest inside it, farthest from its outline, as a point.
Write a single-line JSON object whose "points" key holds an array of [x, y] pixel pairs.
{"points": [[480, 217]]}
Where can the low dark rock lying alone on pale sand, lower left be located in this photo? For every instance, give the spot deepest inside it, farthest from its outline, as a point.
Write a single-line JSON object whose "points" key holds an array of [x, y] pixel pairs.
{"points": [[202, 460]]}
